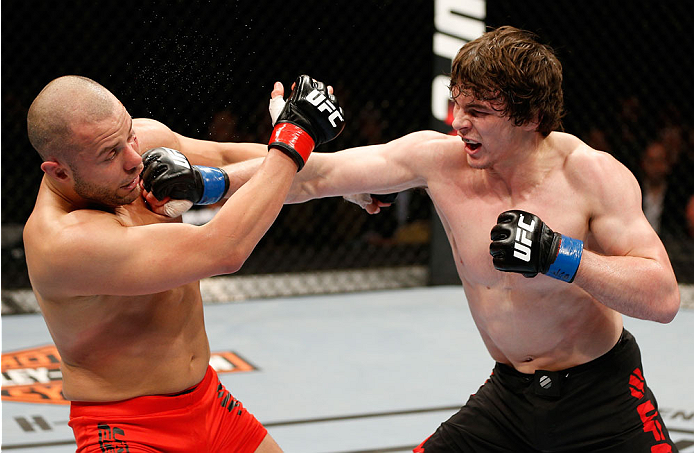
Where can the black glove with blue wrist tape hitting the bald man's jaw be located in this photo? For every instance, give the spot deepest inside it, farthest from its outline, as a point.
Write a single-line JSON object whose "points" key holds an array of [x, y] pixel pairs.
{"points": [[168, 173]]}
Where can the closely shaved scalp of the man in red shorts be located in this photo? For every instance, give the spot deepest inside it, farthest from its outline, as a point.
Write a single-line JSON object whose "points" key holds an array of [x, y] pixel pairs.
{"points": [[63, 103]]}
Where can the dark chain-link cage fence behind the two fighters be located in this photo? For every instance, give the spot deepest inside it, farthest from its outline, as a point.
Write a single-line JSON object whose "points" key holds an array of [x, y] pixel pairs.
{"points": [[206, 68]]}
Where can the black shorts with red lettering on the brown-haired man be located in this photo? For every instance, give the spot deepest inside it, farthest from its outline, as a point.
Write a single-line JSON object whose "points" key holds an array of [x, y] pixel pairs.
{"points": [[601, 406]]}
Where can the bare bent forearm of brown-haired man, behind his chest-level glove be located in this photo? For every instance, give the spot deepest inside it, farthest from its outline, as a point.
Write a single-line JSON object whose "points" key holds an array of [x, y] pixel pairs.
{"points": [[638, 287]]}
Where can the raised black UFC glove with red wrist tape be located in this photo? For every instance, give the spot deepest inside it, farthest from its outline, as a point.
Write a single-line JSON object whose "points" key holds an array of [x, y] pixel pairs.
{"points": [[310, 118]]}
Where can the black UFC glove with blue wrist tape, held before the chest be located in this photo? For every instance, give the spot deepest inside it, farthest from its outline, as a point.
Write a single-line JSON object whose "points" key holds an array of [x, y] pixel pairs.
{"points": [[522, 243]]}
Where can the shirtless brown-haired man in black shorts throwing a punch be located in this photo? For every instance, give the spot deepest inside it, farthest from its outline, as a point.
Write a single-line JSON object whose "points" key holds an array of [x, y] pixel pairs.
{"points": [[552, 249]]}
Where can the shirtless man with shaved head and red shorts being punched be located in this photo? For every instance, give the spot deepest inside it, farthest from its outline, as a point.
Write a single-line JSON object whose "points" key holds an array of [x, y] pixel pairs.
{"points": [[128, 323]]}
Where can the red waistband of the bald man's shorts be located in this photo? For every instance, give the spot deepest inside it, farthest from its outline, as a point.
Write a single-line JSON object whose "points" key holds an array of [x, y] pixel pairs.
{"points": [[143, 405]]}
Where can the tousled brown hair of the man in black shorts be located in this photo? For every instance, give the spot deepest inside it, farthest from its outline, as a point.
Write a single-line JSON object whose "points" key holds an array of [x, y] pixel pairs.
{"points": [[519, 76]]}
